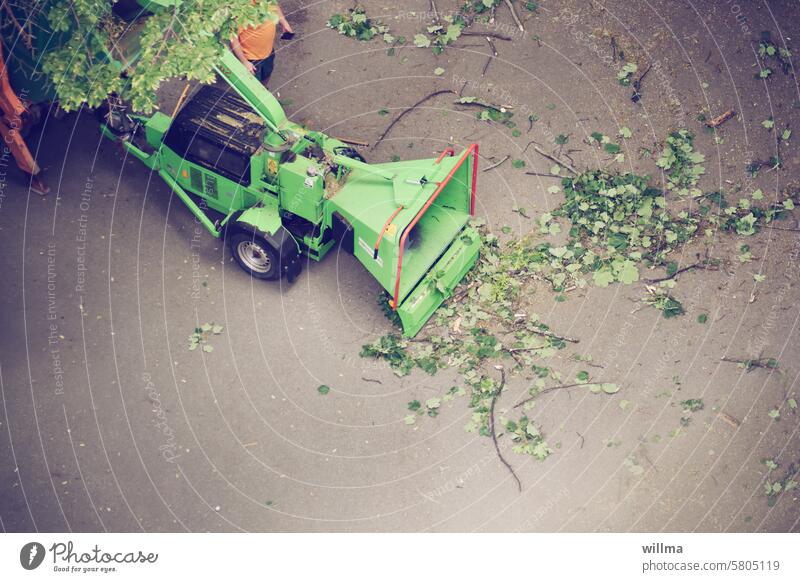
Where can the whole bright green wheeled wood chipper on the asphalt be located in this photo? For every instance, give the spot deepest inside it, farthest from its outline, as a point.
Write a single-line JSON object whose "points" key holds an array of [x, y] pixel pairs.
{"points": [[278, 192]]}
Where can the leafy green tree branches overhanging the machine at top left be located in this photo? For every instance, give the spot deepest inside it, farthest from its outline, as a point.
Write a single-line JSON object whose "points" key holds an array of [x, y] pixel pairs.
{"points": [[178, 41]]}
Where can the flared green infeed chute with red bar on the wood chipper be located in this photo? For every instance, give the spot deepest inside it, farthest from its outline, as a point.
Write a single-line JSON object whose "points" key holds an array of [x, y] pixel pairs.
{"points": [[410, 228]]}
